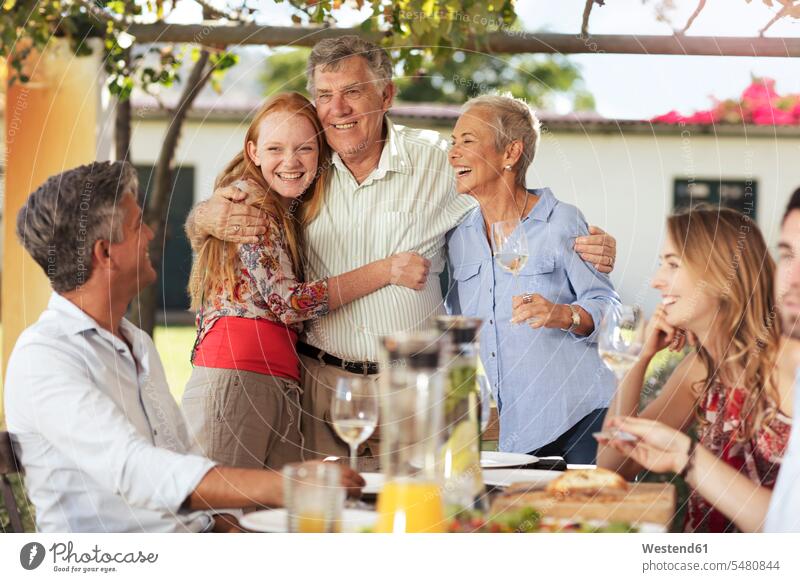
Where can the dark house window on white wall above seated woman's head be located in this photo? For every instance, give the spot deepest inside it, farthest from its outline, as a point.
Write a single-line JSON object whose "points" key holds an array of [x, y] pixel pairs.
{"points": [[741, 195]]}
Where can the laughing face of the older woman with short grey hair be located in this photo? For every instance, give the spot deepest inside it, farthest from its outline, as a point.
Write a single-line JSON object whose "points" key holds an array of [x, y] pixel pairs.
{"points": [[473, 154]]}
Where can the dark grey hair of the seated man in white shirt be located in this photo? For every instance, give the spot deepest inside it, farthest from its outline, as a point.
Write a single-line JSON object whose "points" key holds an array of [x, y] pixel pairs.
{"points": [[65, 216]]}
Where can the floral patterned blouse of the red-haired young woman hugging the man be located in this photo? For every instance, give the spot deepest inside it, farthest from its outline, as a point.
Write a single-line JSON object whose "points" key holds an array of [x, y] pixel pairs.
{"points": [[265, 288]]}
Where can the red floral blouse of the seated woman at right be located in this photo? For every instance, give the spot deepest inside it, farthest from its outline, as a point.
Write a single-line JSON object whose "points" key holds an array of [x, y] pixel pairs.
{"points": [[759, 458]]}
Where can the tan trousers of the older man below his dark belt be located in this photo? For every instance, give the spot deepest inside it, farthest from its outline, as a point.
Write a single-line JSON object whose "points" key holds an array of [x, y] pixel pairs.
{"points": [[319, 386]]}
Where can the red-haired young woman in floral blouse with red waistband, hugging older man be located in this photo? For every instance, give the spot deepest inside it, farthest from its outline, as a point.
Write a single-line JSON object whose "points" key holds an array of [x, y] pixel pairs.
{"points": [[242, 401]]}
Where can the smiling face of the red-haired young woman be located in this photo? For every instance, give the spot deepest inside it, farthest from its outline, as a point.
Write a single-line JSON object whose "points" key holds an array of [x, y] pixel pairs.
{"points": [[286, 152]]}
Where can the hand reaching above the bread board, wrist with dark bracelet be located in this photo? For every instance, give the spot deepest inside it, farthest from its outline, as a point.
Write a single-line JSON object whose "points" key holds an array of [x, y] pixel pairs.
{"points": [[657, 447]]}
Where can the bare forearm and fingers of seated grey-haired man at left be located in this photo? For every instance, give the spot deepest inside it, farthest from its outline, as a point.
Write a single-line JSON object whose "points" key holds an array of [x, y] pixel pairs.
{"points": [[232, 487]]}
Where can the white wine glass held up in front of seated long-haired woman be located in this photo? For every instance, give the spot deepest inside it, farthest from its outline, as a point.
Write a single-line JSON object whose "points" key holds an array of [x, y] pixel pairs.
{"points": [[620, 341]]}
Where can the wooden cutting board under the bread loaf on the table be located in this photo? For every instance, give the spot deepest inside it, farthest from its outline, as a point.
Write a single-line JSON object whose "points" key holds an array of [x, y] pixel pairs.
{"points": [[642, 503]]}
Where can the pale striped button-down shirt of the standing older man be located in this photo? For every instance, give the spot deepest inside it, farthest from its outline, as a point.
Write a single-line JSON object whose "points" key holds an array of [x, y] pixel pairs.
{"points": [[408, 203]]}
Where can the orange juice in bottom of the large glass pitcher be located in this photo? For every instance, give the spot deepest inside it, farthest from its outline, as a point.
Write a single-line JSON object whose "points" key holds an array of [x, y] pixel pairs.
{"points": [[410, 506]]}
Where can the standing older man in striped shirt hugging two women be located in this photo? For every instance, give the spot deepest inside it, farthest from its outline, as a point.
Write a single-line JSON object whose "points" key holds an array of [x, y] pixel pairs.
{"points": [[391, 191]]}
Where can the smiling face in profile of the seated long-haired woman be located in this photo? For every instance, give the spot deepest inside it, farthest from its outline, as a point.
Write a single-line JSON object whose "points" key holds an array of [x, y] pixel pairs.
{"points": [[688, 301]]}
